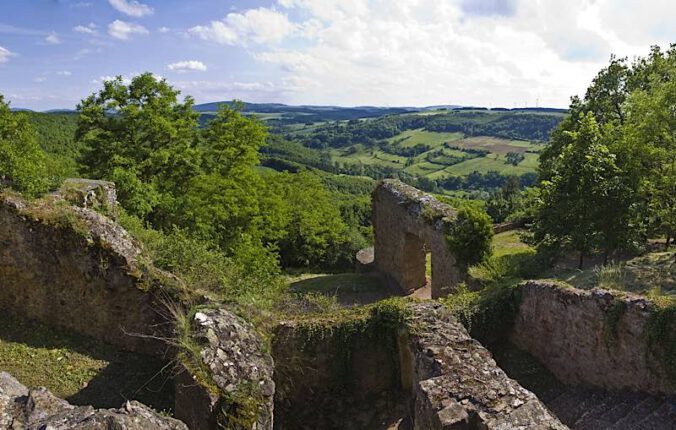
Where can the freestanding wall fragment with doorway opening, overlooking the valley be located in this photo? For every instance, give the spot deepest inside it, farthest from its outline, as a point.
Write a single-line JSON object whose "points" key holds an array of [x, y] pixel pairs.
{"points": [[407, 224]]}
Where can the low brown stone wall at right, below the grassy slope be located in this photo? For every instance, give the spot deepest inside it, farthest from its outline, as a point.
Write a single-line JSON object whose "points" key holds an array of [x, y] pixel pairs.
{"points": [[590, 337]]}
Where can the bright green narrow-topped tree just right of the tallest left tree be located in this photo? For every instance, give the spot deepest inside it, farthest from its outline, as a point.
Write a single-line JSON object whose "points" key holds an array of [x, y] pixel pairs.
{"points": [[225, 201]]}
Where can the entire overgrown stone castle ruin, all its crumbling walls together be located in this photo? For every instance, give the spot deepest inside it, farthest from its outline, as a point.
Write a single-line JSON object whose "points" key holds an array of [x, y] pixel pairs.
{"points": [[395, 364]]}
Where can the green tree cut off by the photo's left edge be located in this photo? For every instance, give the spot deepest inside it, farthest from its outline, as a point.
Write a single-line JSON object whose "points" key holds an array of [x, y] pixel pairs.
{"points": [[22, 162]]}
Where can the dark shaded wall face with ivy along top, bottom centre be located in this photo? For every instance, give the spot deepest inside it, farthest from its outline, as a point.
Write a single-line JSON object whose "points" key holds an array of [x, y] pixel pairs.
{"points": [[331, 377]]}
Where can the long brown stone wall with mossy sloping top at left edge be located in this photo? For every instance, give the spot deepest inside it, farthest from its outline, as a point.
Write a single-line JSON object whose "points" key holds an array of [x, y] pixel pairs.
{"points": [[74, 268]]}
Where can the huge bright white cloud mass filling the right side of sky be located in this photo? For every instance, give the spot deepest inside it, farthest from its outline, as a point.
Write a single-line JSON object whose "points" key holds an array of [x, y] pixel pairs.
{"points": [[412, 52]]}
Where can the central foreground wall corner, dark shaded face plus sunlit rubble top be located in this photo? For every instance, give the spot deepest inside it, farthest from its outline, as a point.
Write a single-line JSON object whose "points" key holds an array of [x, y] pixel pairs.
{"points": [[444, 379]]}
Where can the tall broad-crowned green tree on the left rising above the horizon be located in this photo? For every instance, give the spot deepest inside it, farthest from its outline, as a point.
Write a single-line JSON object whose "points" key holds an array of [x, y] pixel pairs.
{"points": [[143, 138]]}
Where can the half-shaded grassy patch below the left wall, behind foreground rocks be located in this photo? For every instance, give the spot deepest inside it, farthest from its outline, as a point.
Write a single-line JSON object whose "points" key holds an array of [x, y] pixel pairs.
{"points": [[82, 370]]}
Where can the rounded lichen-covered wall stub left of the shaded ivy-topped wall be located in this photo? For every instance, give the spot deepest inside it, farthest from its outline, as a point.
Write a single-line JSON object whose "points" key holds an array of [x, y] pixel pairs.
{"points": [[242, 393]]}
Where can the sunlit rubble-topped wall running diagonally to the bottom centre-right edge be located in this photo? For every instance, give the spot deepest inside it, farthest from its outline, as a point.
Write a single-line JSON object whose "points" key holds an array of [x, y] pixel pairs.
{"points": [[458, 384]]}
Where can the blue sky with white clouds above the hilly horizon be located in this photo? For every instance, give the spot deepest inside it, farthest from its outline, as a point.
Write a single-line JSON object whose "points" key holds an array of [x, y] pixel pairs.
{"points": [[507, 53]]}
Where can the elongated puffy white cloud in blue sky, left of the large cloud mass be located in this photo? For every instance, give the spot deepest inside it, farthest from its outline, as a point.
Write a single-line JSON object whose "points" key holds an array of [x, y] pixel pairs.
{"points": [[259, 26]]}
